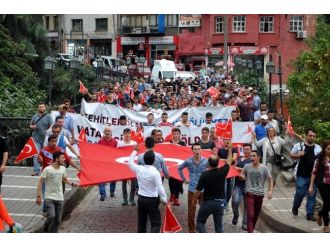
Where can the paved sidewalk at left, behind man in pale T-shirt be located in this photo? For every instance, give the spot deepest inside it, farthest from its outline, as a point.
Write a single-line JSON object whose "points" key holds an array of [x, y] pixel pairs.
{"points": [[19, 190]]}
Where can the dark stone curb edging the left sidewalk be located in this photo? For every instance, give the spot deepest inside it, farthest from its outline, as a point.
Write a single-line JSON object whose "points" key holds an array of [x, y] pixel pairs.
{"points": [[71, 201]]}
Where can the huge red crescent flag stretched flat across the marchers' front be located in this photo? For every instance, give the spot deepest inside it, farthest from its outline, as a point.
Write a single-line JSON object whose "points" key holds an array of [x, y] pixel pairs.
{"points": [[100, 163]]}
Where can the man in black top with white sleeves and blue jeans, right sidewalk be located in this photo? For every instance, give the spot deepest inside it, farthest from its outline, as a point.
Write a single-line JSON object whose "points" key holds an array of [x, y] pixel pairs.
{"points": [[306, 153]]}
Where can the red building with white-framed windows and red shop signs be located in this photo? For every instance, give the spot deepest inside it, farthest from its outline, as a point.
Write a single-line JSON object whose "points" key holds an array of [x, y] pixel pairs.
{"points": [[249, 37]]}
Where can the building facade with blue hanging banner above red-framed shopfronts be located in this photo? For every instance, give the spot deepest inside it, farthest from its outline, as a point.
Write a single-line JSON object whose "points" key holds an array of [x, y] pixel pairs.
{"points": [[152, 36]]}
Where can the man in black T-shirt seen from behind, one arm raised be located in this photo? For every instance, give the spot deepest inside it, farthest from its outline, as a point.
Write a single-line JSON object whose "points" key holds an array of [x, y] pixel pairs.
{"points": [[212, 182]]}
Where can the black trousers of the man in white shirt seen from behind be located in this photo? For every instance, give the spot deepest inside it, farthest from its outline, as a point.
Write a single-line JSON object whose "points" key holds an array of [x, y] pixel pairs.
{"points": [[148, 207]]}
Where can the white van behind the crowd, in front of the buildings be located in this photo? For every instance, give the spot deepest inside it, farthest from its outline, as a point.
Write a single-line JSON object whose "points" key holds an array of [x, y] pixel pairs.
{"points": [[163, 69]]}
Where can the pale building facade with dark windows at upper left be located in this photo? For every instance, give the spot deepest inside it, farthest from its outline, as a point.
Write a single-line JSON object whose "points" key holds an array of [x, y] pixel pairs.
{"points": [[88, 36]]}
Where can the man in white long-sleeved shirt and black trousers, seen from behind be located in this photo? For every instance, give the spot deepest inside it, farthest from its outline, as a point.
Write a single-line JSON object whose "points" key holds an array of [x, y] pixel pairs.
{"points": [[150, 187]]}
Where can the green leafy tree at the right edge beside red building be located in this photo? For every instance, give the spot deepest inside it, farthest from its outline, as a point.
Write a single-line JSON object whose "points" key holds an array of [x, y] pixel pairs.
{"points": [[309, 85]]}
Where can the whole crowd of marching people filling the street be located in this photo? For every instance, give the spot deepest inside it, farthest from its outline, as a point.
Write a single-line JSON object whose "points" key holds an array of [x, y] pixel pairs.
{"points": [[207, 184]]}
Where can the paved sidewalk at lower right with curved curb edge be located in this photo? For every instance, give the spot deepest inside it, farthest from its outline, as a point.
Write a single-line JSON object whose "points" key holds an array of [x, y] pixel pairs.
{"points": [[277, 211]]}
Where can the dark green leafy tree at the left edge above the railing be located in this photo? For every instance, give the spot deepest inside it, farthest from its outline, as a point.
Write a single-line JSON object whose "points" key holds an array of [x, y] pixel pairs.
{"points": [[18, 83]]}
